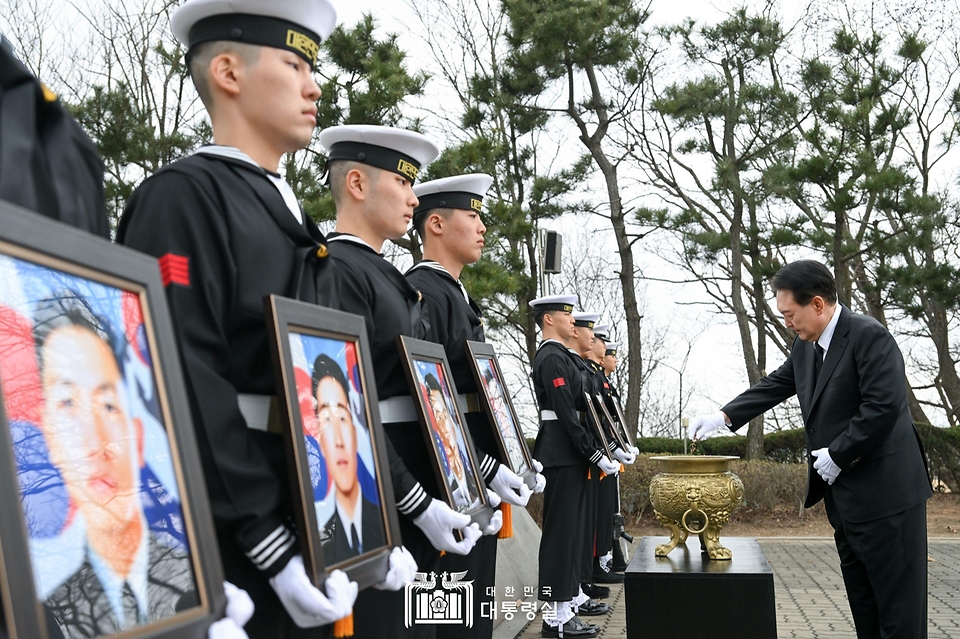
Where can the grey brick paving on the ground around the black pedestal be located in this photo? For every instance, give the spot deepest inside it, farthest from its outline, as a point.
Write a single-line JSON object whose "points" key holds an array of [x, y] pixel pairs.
{"points": [[811, 601]]}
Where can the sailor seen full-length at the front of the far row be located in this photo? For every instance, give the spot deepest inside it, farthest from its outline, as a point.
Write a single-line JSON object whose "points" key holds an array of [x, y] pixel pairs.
{"points": [[566, 449]]}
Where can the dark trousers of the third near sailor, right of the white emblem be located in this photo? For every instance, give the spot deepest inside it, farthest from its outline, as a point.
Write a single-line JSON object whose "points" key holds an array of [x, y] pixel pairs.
{"points": [[481, 567]]}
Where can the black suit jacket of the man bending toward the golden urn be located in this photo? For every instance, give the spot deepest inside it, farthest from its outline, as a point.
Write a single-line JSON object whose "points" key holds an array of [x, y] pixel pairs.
{"points": [[858, 409]]}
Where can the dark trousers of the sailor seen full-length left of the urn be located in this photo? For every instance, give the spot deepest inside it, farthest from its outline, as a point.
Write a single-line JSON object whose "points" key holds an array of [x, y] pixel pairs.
{"points": [[562, 527]]}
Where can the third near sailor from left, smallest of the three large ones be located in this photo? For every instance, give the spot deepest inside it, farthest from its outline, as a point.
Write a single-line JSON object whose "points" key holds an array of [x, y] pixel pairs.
{"points": [[447, 220]]}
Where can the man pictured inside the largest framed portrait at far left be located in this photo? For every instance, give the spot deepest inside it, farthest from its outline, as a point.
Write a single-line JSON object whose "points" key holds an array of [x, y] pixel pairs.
{"points": [[128, 577]]}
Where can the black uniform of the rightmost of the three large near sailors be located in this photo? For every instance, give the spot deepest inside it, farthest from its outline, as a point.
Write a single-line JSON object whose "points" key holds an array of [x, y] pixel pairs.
{"points": [[455, 318]]}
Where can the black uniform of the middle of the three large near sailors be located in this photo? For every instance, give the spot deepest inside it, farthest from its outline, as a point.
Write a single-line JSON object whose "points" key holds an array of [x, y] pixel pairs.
{"points": [[374, 289]]}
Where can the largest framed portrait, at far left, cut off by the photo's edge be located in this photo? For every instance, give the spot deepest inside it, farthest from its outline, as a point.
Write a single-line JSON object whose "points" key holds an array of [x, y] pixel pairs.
{"points": [[107, 489]]}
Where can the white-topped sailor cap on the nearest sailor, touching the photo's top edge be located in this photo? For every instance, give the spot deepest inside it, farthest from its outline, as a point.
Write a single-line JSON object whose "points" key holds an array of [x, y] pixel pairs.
{"points": [[296, 25]]}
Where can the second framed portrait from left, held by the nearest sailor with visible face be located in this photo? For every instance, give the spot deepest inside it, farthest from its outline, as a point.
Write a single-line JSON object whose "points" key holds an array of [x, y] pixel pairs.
{"points": [[335, 443]]}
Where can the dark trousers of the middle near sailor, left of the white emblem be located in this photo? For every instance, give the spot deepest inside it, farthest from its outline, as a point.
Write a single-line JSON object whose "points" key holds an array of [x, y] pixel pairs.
{"points": [[379, 614]]}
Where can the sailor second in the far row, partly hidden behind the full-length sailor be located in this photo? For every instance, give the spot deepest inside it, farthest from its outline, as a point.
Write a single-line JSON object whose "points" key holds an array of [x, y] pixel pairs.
{"points": [[607, 498]]}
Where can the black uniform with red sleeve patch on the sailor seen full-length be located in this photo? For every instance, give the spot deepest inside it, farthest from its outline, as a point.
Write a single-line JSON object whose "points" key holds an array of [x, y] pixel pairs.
{"points": [[567, 450]]}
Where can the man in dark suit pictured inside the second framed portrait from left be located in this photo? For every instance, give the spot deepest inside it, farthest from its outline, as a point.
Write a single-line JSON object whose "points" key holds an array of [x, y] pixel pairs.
{"points": [[356, 524]]}
